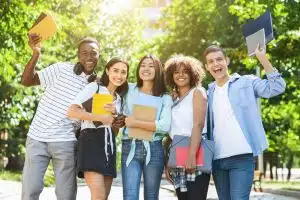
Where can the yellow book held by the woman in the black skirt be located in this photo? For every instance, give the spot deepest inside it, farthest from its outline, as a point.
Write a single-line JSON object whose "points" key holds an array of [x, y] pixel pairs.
{"points": [[99, 100]]}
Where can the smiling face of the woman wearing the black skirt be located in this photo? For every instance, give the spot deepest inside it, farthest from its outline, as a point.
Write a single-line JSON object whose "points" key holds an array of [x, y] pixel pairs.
{"points": [[117, 74]]}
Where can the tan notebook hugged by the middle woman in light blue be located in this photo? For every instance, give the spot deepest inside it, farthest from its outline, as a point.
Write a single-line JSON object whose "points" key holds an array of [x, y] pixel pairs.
{"points": [[144, 113]]}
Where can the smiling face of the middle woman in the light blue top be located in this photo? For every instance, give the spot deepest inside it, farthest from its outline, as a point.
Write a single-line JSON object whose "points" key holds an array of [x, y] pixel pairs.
{"points": [[147, 70]]}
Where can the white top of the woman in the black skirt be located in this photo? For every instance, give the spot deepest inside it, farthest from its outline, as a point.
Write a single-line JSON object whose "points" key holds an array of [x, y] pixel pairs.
{"points": [[88, 93]]}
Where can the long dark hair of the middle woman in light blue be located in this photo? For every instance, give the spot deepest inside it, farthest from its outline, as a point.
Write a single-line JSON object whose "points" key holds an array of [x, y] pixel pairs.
{"points": [[159, 87]]}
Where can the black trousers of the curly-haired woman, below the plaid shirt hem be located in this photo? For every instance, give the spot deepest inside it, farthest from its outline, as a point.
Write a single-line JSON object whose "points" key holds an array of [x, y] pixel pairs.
{"points": [[195, 190]]}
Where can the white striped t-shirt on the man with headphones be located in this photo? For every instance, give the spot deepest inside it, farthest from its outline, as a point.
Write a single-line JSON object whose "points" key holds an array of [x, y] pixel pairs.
{"points": [[50, 123]]}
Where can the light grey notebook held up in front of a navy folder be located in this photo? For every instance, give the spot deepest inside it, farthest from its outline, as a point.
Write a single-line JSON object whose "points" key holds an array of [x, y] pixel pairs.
{"points": [[257, 38]]}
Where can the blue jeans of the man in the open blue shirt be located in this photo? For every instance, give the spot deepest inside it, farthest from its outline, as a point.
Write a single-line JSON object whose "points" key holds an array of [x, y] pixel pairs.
{"points": [[233, 176]]}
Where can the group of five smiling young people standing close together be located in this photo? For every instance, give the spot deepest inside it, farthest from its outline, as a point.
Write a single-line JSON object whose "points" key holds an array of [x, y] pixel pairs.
{"points": [[234, 121]]}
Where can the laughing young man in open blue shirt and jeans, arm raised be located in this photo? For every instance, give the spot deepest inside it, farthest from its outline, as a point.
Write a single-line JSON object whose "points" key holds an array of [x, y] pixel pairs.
{"points": [[235, 121]]}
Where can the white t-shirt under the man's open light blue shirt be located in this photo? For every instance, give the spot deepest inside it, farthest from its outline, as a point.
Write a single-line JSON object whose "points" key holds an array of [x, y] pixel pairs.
{"points": [[228, 135]]}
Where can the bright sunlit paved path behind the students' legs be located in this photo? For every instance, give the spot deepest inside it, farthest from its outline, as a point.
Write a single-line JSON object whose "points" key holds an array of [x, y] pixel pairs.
{"points": [[11, 191]]}
